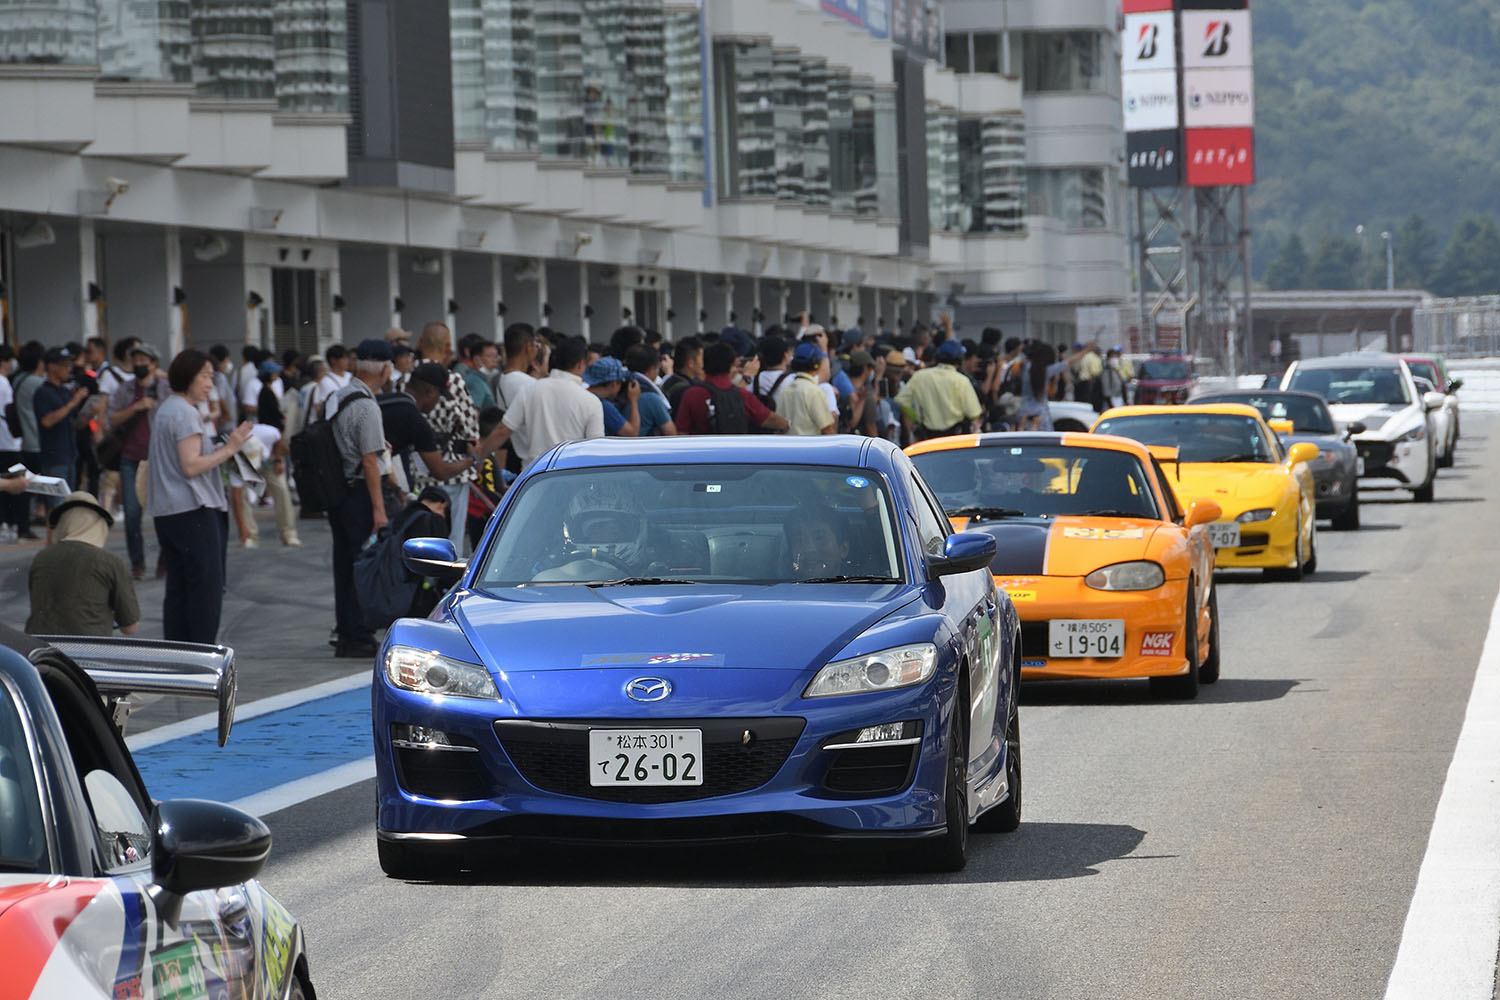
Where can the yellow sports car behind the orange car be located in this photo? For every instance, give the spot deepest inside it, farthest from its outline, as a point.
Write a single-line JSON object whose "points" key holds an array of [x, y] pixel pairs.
{"points": [[1229, 455]]}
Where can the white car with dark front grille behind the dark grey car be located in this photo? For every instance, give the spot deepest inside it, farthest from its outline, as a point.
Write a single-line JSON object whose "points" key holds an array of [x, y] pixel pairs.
{"points": [[1378, 400]]}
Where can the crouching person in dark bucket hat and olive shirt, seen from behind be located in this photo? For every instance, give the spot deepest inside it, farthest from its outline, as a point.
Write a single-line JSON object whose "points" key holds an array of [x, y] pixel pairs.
{"points": [[77, 587]]}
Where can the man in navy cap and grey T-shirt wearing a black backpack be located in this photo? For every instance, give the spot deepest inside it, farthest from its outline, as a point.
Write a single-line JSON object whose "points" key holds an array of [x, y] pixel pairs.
{"points": [[361, 439]]}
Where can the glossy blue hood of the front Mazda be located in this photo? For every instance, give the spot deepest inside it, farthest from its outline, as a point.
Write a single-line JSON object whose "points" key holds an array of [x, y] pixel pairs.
{"points": [[782, 627]]}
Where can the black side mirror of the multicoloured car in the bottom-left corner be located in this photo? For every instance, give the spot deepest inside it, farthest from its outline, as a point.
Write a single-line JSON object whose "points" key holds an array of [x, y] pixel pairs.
{"points": [[199, 845]]}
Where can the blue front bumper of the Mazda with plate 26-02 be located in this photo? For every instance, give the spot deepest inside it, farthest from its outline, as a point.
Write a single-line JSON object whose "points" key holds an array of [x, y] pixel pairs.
{"points": [[499, 788]]}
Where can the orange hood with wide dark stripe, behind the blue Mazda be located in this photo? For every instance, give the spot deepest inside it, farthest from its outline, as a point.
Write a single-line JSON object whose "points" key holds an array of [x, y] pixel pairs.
{"points": [[1064, 546]]}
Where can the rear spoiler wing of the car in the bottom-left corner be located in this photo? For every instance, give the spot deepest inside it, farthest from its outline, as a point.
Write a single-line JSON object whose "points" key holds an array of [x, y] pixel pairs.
{"points": [[122, 668]]}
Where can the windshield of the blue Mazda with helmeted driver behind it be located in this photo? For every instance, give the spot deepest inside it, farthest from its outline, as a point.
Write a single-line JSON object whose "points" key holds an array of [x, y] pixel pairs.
{"points": [[695, 524]]}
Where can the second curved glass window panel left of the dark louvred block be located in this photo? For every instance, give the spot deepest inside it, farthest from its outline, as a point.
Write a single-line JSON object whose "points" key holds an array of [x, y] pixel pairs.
{"points": [[235, 49]]}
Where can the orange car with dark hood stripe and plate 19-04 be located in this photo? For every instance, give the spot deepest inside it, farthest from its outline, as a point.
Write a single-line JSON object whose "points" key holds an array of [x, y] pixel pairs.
{"points": [[1111, 578]]}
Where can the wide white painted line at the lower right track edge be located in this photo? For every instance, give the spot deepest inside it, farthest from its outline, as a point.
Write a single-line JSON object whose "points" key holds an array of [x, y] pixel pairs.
{"points": [[1453, 930]]}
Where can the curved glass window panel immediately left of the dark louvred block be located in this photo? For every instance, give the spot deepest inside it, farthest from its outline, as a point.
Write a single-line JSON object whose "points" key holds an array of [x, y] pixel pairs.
{"points": [[313, 56]]}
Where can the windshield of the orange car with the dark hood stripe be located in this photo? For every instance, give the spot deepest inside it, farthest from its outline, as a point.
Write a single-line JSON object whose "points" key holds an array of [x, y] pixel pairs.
{"points": [[1037, 482]]}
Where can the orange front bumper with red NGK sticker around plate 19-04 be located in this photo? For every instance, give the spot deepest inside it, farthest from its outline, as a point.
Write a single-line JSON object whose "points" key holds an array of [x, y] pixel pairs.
{"points": [[1148, 615]]}
